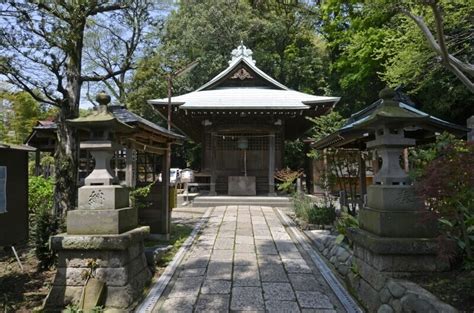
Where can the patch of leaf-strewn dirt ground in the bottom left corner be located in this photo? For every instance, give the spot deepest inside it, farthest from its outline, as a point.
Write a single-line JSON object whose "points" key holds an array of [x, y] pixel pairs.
{"points": [[22, 291]]}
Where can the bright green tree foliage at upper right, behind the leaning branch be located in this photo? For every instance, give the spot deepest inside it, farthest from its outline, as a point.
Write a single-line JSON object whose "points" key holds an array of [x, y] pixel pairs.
{"points": [[373, 43]]}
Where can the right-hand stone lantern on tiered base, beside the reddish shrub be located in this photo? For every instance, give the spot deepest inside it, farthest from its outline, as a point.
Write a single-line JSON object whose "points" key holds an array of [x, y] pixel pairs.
{"points": [[396, 234]]}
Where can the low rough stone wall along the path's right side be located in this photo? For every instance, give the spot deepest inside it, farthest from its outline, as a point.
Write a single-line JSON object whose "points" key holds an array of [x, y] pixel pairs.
{"points": [[377, 292]]}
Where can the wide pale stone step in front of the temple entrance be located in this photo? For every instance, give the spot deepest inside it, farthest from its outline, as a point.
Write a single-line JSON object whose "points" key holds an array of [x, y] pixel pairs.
{"points": [[209, 201]]}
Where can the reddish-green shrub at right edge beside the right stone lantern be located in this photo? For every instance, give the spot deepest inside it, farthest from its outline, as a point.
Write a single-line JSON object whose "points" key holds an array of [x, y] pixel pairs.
{"points": [[446, 183]]}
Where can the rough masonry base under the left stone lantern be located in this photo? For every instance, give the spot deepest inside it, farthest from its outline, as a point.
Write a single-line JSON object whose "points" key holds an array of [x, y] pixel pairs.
{"points": [[119, 262]]}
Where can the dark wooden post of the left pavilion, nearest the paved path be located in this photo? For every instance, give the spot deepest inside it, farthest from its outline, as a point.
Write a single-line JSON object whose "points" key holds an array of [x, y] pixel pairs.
{"points": [[165, 220]]}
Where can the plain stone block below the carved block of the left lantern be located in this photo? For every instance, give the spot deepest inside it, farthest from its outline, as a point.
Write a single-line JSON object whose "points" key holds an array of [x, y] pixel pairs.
{"points": [[101, 222]]}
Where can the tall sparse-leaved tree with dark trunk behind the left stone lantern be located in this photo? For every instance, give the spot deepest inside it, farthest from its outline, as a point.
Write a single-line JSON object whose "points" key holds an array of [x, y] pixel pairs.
{"points": [[44, 52]]}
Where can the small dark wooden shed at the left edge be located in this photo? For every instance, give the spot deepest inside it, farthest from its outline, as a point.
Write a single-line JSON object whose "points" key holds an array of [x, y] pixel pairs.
{"points": [[13, 194]]}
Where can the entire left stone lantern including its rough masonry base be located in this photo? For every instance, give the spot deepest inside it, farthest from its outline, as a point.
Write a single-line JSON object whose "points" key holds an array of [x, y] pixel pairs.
{"points": [[103, 231]]}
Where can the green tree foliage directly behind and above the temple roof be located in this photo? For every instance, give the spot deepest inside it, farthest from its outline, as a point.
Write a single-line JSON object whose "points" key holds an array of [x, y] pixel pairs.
{"points": [[281, 36]]}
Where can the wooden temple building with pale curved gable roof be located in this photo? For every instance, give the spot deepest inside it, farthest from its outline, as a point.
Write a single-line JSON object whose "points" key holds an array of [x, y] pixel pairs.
{"points": [[242, 117]]}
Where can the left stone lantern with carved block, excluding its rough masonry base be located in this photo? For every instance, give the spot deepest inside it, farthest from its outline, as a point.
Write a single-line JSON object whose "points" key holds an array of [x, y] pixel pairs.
{"points": [[103, 206]]}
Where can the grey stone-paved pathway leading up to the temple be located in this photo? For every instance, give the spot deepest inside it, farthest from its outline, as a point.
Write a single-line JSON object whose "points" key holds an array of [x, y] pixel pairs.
{"points": [[244, 260]]}
